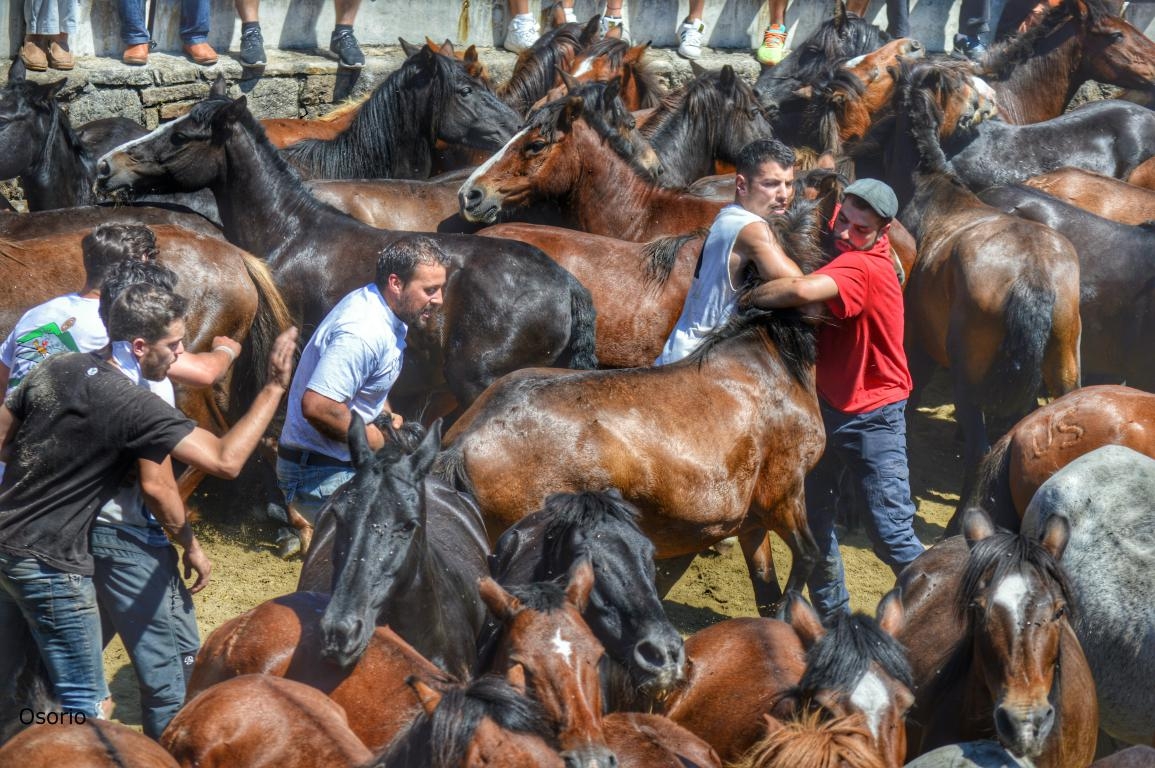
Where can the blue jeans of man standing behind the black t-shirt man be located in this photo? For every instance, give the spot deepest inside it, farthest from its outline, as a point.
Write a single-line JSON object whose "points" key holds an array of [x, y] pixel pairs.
{"points": [[144, 600]]}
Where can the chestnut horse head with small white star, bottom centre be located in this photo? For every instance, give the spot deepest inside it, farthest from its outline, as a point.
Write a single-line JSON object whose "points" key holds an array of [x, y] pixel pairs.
{"points": [[547, 637]]}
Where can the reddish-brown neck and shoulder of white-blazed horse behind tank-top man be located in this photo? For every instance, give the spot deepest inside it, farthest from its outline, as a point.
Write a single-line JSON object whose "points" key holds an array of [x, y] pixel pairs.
{"points": [[612, 199]]}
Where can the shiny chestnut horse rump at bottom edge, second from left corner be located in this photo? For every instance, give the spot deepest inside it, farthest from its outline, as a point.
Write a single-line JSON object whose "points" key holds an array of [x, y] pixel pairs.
{"points": [[260, 720]]}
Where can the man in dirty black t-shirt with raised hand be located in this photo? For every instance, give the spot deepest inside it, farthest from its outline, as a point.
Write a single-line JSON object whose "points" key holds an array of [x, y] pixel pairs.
{"points": [[71, 434]]}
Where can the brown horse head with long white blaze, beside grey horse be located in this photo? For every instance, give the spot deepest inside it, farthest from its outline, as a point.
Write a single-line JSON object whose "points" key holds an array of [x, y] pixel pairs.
{"points": [[1016, 598]]}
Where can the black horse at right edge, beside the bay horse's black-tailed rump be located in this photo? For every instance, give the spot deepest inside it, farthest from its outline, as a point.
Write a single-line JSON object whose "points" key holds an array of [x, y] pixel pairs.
{"points": [[1116, 281]]}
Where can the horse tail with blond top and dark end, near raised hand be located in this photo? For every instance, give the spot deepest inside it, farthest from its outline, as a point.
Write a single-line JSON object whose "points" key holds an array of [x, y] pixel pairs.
{"points": [[272, 317]]}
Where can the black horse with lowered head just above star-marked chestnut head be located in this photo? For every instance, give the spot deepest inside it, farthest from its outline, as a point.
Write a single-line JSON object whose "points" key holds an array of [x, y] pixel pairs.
{"points": [[624, 612]]}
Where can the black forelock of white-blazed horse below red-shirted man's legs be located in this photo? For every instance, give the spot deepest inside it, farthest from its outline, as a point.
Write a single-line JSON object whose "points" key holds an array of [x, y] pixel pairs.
{"points": [[840, 659]]}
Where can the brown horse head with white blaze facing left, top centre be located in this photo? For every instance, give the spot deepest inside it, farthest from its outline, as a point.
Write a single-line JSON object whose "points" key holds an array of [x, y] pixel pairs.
{"points": [[546, 159]]}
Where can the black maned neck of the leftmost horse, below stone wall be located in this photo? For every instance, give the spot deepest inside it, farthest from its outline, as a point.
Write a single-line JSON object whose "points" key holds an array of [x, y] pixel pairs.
{"points": [[64, 174]]}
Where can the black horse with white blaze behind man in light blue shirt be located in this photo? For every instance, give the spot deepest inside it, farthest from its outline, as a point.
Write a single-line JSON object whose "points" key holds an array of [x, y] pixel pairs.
{"points": [[508, 305]]}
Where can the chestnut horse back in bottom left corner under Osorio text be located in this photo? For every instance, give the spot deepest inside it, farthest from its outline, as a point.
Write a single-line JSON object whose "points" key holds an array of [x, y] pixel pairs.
{"points": [[91, 744]]}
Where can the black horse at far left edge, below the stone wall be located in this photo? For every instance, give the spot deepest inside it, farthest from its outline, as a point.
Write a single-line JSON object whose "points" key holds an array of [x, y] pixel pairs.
{"points": [[56, 165]]}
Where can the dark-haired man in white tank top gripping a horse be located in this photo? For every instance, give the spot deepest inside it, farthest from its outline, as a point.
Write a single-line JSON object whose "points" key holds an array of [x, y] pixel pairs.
{"points": [[740, 241]]}
